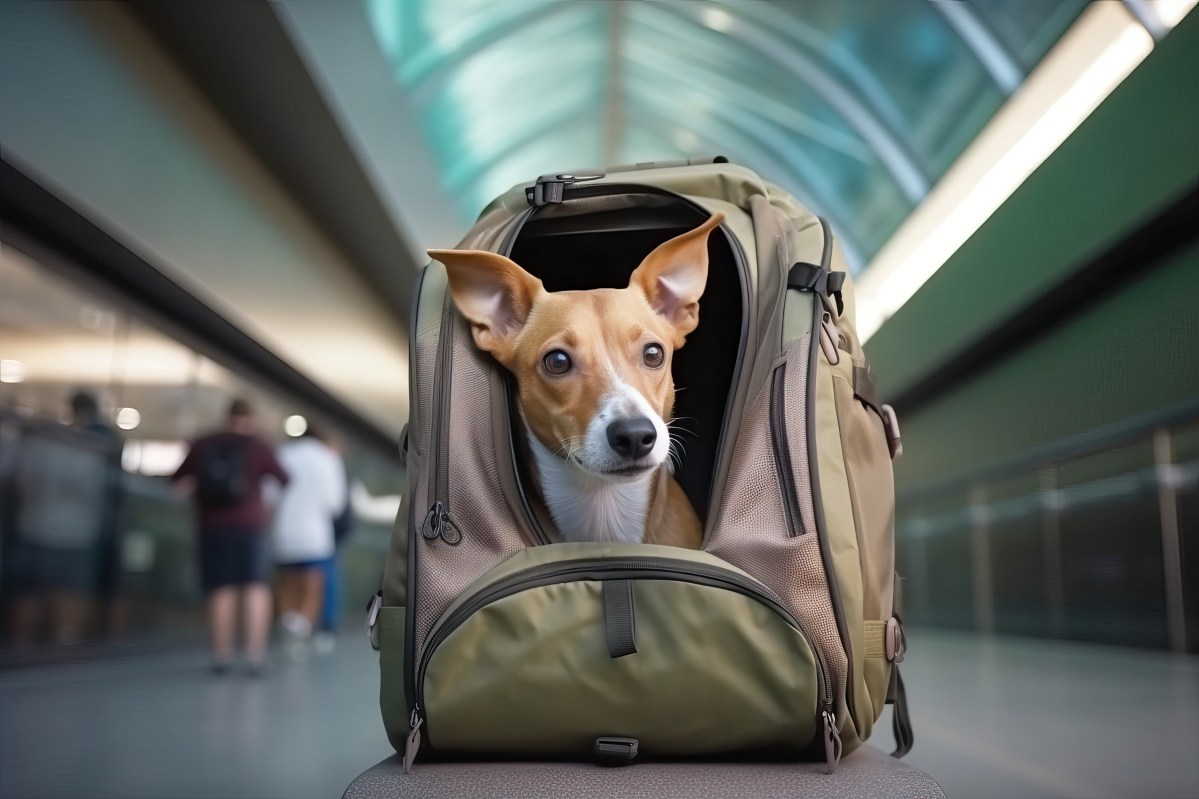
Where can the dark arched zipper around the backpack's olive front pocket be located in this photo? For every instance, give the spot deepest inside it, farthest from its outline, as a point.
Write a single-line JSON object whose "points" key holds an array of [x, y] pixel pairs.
{"points": [[632, 568]]}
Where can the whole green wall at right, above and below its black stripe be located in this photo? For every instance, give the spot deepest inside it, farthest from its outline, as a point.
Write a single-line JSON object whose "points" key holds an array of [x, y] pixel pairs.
{"points": [[1136, 351]]}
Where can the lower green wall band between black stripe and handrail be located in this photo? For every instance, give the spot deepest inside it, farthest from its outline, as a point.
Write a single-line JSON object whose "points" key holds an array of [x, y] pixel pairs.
{"points": [[1135, 352]]}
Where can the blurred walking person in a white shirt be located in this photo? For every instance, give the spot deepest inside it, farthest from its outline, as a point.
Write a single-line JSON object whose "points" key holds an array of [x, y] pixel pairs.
{"points": [[304, 532]]}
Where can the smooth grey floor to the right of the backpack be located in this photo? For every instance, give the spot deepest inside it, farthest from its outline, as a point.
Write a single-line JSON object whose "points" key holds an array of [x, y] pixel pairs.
{"points": [[1010, 718]]}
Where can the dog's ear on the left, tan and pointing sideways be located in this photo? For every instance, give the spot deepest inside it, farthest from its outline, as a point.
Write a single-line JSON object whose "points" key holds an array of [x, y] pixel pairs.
{"points": [[493, 293]]}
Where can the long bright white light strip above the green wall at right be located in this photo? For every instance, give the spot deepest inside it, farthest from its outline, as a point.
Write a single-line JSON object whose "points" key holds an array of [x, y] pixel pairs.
{"points": [[1095, 56]]}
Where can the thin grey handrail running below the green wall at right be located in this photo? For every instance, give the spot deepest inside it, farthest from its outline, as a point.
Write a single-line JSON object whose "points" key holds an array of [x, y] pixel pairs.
{"points": [[1068, 449]]}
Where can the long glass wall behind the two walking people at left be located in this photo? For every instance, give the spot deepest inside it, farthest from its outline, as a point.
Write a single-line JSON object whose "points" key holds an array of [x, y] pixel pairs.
{"points": [[94, 540]]}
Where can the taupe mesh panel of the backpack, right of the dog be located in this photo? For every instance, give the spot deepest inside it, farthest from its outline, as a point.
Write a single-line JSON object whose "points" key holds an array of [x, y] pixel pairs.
{"points": [[752, 531]]}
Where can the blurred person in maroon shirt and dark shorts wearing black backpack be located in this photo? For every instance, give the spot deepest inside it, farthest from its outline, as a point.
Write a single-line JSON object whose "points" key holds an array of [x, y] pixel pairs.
{"points": [[225, 472]]}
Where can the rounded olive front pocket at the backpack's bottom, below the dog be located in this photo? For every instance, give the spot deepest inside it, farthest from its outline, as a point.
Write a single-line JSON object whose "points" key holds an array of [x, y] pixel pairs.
{"points": [[710, 662]]}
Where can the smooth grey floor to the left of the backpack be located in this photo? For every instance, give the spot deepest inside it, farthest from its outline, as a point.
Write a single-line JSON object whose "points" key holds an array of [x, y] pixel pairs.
{"points": [[160, 726]]}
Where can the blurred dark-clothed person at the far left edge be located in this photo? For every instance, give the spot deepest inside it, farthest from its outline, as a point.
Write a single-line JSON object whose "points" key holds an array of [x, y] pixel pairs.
{"points": [[65, 484]]}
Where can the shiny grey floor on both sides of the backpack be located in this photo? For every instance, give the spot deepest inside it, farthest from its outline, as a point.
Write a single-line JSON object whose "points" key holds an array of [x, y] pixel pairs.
{"points": [[1003, 718]]}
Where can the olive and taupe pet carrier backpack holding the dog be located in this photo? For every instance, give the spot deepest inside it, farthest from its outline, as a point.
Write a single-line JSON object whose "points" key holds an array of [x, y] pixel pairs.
{"points": [[781, 635]]}
